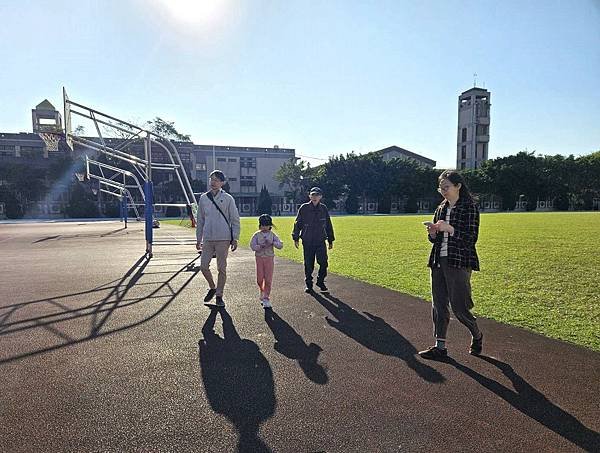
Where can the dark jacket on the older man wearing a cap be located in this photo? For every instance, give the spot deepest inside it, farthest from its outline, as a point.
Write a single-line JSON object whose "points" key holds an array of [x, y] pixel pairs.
{"points": [[313, 224]]}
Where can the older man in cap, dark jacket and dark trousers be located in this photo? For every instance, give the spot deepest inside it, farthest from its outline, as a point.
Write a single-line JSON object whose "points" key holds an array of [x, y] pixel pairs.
{"points": [[313, 226]]}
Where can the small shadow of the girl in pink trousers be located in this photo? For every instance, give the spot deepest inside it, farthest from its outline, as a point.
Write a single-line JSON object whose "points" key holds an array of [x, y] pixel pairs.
{"points": [[292, 345]]}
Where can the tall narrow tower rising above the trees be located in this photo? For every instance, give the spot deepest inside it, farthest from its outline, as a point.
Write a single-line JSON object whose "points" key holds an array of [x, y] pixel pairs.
{"points": [[473, 135]]}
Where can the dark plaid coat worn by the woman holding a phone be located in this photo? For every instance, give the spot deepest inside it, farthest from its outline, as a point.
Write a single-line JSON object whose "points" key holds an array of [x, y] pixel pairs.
{"points": [[464, 217]]}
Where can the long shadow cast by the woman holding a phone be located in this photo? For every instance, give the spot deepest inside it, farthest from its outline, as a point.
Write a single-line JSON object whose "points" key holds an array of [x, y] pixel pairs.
{"points": [[534, 404]]}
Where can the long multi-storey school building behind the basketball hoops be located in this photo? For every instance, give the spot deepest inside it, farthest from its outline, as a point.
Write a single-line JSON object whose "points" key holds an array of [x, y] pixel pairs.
{"points": [[248, 169]]}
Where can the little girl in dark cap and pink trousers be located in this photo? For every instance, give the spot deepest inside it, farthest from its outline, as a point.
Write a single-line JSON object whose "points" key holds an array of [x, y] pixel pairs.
{"points": [[262, 243]]}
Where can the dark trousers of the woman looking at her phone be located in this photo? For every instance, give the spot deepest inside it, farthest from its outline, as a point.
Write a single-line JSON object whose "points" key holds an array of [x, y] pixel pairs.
{"points": [[451, 286]]}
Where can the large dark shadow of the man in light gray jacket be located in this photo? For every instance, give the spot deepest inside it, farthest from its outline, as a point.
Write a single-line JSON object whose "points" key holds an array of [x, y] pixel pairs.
{"points": [[237, 379]]}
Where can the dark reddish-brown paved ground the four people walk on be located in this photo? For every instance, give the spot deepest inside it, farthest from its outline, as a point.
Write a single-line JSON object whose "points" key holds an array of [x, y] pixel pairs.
{"points": [[101, 350]]}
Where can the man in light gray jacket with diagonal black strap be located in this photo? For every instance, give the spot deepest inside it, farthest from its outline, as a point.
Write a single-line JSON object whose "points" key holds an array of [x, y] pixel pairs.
{"points": [[217, 230]]}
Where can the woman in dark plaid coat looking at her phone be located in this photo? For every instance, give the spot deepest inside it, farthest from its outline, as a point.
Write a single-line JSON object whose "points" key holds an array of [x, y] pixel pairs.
{"points": [[453, 257]]}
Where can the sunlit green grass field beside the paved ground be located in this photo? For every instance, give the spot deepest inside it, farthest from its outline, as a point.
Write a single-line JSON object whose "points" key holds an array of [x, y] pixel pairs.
{"points": [[540, 271]]}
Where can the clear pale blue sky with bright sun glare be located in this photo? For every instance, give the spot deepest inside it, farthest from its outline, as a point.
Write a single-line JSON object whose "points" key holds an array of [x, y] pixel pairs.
{"points": [[323, 77]]}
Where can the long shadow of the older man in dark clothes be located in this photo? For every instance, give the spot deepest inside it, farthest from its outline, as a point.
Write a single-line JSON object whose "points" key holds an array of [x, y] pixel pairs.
{"points": [[375, 334]]}
